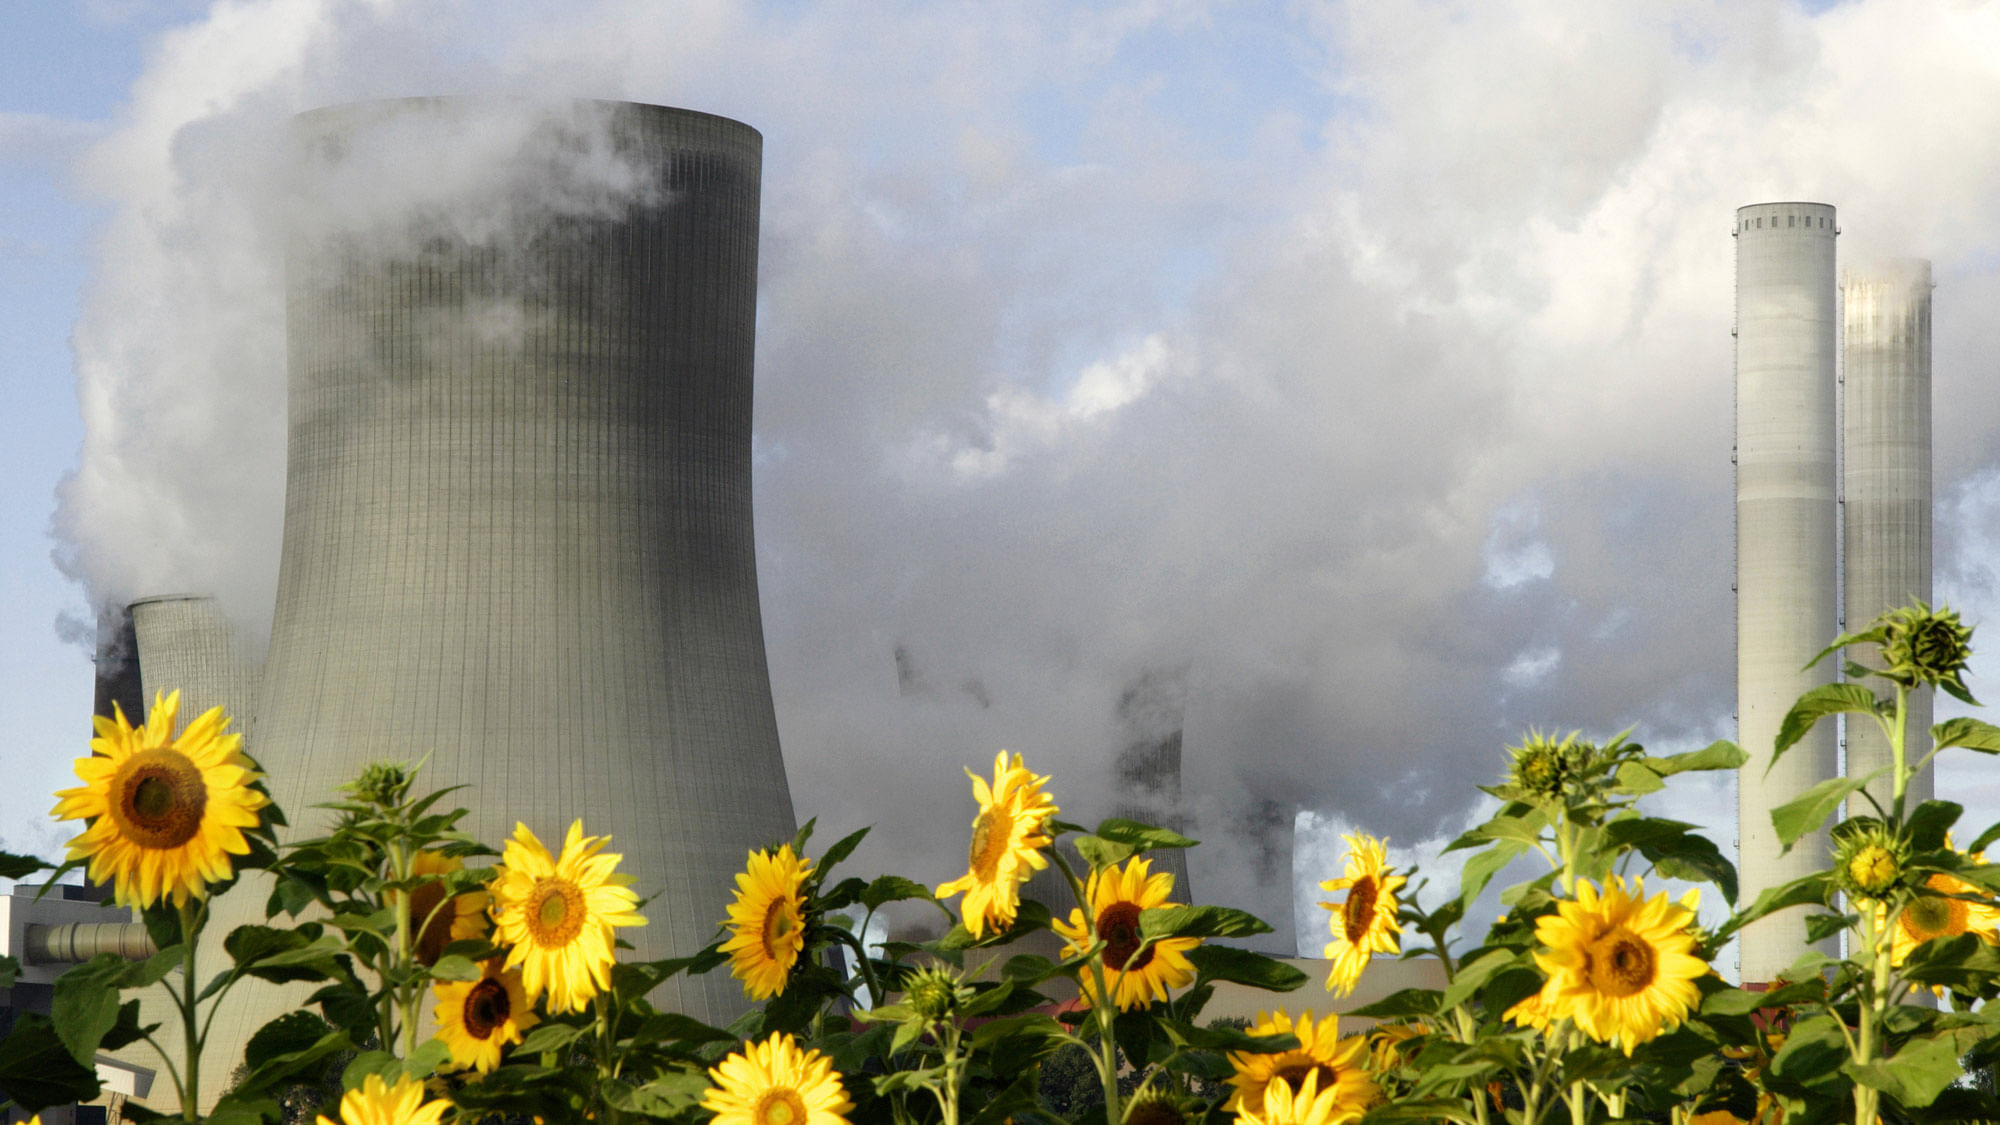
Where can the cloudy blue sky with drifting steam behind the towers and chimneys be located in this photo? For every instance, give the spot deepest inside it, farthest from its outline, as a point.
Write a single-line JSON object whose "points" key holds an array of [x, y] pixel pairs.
{"points": [[1363, 369]]}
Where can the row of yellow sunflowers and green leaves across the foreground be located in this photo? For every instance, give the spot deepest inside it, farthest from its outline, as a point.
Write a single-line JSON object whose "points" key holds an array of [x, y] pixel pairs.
{"points": [[453, 982]]}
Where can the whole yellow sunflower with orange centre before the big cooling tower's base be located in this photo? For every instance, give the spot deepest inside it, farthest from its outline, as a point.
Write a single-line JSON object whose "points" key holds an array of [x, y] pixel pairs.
{"points": [[557, 916]]}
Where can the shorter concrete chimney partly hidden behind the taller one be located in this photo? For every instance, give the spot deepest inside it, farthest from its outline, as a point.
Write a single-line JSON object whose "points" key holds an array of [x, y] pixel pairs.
{"points": [[1885, 485]]}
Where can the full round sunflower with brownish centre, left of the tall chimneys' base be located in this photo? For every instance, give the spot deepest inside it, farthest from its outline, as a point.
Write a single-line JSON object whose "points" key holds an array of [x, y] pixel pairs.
{"points": [[1619, 966]]}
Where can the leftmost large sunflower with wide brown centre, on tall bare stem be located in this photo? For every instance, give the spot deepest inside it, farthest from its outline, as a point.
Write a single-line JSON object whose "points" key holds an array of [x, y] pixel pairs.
{"points": [[165, 812]]}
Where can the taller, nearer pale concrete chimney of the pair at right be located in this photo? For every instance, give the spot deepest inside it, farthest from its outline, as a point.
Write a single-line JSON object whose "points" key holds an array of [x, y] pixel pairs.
{"points": [[1785, 539]]}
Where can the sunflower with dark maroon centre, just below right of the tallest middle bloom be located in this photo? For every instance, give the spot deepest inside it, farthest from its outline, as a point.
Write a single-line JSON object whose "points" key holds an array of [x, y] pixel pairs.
{"points": [[1135, 976]]}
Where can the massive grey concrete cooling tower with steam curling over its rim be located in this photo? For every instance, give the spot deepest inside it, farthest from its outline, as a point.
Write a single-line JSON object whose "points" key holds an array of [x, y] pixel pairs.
{"points": [[517, 523]]}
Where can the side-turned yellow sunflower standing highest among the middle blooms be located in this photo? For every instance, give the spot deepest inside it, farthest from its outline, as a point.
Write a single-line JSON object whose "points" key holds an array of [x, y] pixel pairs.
{"points": [[1007, 840]]}
